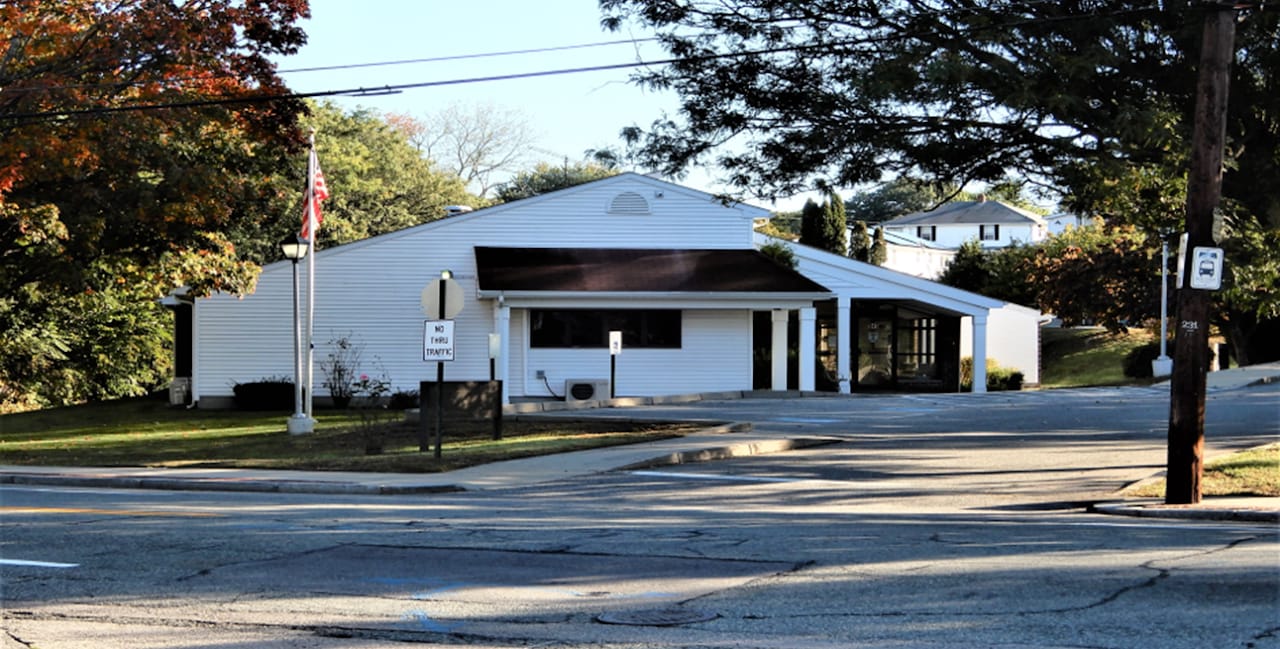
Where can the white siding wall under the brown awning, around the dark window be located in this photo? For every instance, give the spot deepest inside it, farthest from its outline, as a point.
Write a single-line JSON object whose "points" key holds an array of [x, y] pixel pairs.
{"points": [[715, 357]]}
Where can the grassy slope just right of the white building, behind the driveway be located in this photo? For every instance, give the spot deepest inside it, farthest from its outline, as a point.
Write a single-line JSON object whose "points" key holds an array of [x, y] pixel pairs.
{"points": [[1081, 358]]}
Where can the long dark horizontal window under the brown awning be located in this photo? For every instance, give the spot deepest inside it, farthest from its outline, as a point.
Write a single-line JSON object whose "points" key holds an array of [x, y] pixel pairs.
{"points": [[575, 328]]}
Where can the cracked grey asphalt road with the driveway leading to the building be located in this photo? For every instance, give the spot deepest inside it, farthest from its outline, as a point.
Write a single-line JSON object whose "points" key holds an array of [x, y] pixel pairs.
{"points": [[930, 522]]}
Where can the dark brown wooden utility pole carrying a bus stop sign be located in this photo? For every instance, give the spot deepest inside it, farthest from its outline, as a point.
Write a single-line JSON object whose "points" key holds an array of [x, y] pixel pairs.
{"points": [[1204, 193]]}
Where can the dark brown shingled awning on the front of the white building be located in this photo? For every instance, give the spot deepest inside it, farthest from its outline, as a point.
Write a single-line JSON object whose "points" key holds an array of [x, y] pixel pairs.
{"points": [[637, 271]]}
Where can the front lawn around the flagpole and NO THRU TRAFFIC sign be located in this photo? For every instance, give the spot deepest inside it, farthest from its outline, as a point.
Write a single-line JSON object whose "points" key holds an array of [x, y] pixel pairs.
{"points": [[147, 432]]}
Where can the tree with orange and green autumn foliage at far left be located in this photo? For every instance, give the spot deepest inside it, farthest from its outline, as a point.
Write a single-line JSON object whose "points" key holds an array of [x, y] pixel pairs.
{"points": [[131, 135]]}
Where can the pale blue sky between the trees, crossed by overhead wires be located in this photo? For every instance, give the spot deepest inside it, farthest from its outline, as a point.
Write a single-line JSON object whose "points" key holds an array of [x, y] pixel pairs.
{"points": [[569, 113]]}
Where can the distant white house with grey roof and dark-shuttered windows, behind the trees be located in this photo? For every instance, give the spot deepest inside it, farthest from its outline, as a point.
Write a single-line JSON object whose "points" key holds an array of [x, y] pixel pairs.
{"points": [[993, 223]]}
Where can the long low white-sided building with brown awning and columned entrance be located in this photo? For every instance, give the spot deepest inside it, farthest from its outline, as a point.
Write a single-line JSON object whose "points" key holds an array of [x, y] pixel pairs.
{"points": [[679, 273]]}
